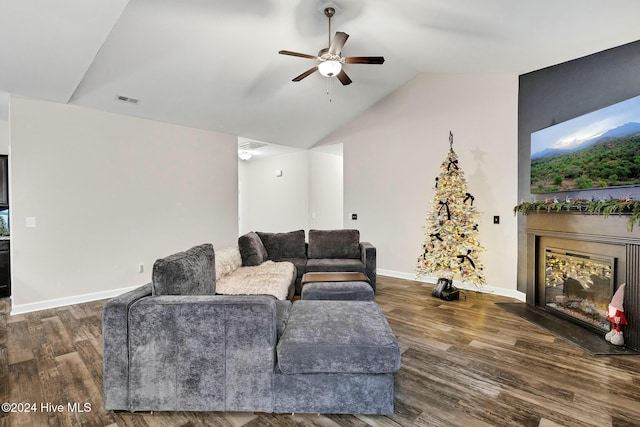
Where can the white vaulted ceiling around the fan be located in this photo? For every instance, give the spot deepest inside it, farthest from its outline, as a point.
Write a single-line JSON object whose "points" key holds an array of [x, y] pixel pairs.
{"points": [[214, 64]]}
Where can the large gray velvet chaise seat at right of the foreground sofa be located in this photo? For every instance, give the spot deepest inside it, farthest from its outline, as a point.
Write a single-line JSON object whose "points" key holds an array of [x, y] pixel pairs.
{"points": [[336, 357]]}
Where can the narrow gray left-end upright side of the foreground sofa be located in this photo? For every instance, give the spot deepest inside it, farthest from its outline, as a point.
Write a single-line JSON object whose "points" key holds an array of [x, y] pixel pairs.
{"points": [[115, 333]]}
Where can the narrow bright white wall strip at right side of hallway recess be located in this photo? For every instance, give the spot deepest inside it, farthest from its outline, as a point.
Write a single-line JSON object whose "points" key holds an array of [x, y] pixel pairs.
{"points": [[326, 189]]}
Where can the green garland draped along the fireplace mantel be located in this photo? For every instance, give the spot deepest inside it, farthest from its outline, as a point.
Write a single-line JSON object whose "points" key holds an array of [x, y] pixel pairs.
{"points": [[604, 207]]}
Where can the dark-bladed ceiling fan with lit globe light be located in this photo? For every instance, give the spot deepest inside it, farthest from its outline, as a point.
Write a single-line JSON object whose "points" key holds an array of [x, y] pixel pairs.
{"points": [[330, 59]]}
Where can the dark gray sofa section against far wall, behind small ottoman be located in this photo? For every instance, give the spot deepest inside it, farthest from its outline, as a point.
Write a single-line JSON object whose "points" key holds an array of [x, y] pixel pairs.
{"points": [[326, 250]]}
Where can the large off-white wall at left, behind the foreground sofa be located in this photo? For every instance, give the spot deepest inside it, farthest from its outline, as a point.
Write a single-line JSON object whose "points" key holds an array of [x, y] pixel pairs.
{"points": [[109, 192]]}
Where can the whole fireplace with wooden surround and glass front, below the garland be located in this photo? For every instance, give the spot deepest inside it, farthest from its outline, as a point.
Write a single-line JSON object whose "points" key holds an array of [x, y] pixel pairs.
{"points": [[575, 263]]}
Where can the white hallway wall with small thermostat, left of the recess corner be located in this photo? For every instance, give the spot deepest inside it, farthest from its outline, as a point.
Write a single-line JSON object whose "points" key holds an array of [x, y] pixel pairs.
{"points": [[275, 204]]}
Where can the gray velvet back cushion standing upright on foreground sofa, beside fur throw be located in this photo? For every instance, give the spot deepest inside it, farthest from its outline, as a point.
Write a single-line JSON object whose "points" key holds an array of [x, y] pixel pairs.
{"points": [[191, 272]]}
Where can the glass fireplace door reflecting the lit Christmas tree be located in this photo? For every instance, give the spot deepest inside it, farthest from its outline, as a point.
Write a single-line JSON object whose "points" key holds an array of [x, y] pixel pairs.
{"points": [[579, 285]]}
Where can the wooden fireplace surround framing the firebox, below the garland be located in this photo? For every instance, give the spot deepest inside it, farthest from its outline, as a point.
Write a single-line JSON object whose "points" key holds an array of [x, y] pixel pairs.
{"points": [[595, 234]]}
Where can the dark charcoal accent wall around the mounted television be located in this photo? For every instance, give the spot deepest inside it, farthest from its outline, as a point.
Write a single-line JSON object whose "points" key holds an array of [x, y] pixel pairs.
{"points": [[564, 91]]}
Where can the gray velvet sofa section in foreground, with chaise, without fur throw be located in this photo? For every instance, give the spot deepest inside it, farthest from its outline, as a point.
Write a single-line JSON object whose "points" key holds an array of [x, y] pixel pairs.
{"points": [[173, 345]]}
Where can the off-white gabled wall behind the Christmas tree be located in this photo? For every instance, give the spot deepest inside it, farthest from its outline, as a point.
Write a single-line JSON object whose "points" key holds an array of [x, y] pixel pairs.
{"points": [[392, 155]]}
